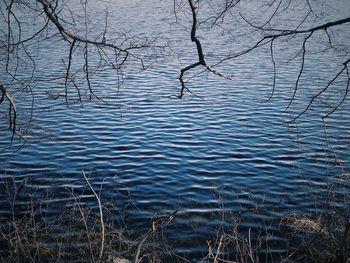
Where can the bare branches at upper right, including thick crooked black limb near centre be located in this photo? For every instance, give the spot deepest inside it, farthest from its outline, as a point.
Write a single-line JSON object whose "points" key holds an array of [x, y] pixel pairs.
{"points": [[269, 25]]}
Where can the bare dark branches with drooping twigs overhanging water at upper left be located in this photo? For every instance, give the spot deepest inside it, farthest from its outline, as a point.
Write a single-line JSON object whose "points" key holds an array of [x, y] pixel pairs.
{"points": [[65, 29]]}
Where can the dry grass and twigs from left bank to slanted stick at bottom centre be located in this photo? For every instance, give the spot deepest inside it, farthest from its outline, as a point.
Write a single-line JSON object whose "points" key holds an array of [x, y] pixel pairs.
{"points": [[83, 232]]}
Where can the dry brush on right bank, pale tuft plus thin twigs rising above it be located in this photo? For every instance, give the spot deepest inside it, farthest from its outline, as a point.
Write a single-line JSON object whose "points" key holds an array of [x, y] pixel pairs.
{"points": [[323, 237]]}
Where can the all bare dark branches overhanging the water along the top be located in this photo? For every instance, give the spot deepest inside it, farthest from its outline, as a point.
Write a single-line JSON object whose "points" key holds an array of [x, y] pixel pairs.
{"points": [[67, 28]]}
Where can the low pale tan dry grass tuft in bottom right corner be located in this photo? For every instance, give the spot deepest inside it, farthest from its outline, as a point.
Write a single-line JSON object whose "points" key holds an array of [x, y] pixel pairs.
{"points": [[319, 239]]}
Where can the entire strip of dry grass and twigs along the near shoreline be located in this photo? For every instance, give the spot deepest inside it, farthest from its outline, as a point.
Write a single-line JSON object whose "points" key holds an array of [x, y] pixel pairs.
{"points": [[89, 232]]}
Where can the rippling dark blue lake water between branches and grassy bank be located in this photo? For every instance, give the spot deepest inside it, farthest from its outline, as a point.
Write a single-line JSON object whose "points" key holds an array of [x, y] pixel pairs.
{"points": [[222, 150]]}
